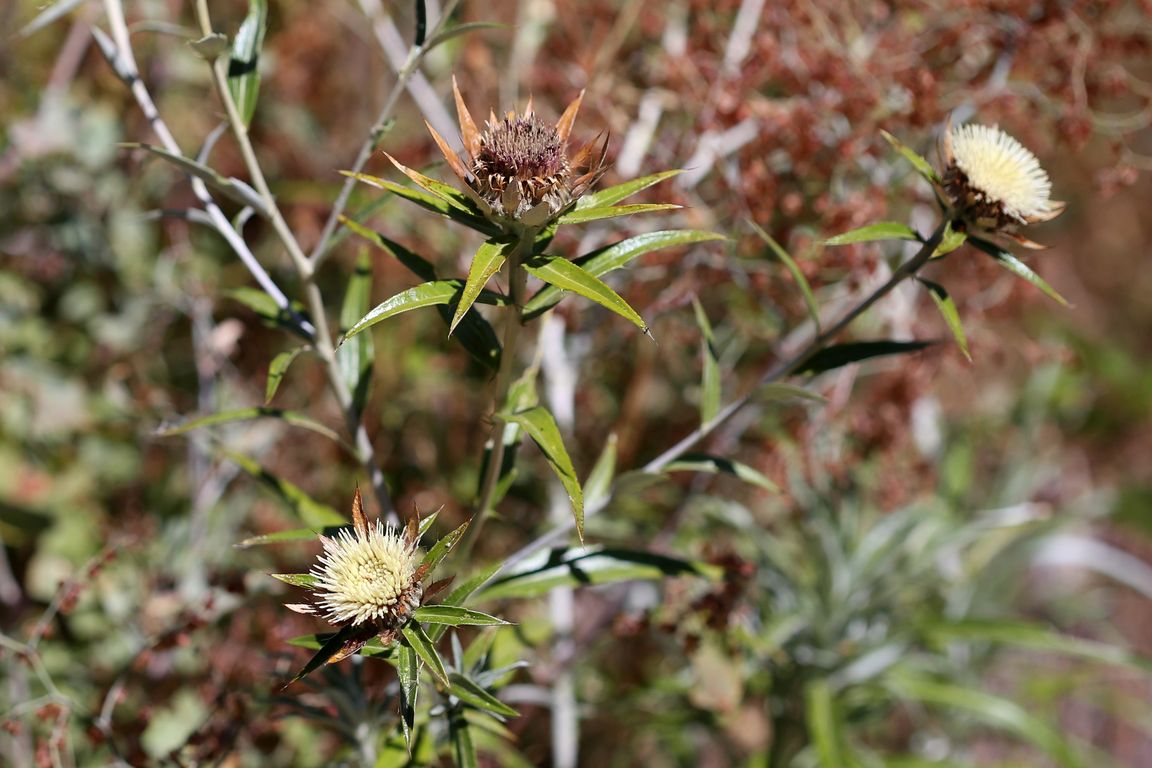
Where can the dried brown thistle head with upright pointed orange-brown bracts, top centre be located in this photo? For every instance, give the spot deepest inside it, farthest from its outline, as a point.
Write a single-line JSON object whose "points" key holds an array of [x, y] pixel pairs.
{"points": [[519, 169]]}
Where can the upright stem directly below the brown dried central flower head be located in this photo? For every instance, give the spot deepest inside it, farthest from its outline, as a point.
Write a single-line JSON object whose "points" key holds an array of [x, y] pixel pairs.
{"points": [[513, 323]]}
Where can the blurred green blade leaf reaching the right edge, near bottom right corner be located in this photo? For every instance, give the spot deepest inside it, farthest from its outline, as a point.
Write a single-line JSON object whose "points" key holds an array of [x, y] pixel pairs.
{"points": [[1034, 637]]}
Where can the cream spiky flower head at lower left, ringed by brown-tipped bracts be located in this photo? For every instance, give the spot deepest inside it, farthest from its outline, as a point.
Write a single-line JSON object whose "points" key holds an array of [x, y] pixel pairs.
{"points": [[367, 576]]}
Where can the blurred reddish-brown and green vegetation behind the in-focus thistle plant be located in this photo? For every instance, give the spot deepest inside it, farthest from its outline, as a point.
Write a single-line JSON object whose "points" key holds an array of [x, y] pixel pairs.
{"points": [[923, 489]]}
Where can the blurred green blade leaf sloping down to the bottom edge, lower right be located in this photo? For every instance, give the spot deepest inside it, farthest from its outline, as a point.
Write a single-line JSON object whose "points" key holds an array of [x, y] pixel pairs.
{"points": [[989, 709]]}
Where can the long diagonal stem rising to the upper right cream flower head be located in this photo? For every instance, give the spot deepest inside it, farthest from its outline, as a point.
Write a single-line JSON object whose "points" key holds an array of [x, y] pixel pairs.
{"points": [[777, 372]]}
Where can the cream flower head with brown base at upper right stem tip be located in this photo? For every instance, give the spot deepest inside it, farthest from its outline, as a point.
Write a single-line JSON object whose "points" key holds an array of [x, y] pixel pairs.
{"points": [[994, 184]]}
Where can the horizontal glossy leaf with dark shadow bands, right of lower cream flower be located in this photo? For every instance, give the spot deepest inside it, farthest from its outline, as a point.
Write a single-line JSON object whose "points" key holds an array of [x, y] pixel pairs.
{"points": [[582, 567]]}
